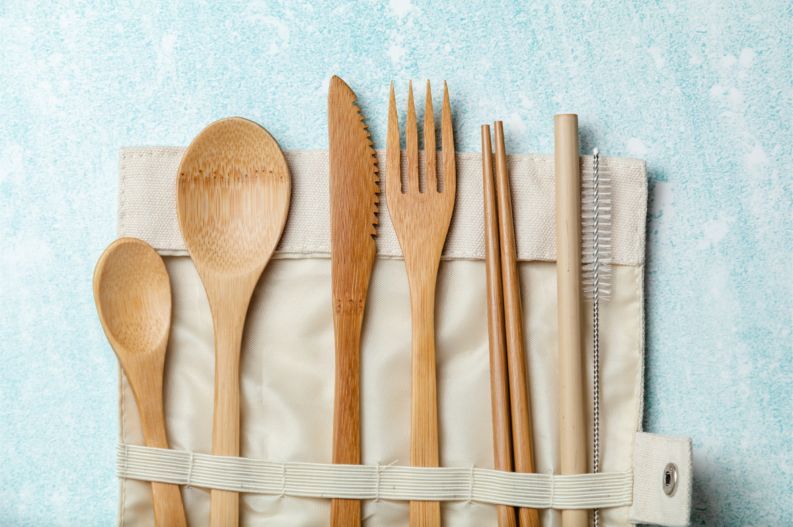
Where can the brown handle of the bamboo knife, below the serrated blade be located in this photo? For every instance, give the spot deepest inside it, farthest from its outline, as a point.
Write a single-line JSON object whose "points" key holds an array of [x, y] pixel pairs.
{"points": [[347, 324]]}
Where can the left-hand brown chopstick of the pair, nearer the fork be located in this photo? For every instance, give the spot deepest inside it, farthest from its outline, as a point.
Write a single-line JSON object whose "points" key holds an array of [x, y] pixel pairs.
{"points": [[499, 377]]}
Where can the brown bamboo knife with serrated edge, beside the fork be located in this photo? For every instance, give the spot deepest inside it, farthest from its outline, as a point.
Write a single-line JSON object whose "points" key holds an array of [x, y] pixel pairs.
{"points": [[354, 188]]}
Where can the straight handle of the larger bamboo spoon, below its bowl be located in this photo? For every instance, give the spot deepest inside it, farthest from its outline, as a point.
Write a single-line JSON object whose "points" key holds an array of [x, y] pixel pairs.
{"points": [[224, 505]]}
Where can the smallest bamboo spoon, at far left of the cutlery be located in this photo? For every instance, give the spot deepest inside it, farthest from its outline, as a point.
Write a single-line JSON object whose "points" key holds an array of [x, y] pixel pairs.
{"points": [[133, 297]]}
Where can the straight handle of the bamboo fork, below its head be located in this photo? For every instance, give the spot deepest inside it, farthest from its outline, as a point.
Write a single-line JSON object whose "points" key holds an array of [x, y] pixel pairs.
{"points": [[424, 401]]}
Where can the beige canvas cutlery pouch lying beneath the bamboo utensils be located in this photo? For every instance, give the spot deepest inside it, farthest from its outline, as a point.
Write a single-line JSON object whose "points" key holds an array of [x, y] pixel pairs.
{"points": [[288, 362]]}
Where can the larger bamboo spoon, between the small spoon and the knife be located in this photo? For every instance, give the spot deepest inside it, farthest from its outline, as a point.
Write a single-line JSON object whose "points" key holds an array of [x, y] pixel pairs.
{"points": [[232, 200]]}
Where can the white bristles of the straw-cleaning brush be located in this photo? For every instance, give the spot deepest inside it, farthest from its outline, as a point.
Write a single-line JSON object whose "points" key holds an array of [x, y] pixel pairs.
{"points": [[596, 228]]}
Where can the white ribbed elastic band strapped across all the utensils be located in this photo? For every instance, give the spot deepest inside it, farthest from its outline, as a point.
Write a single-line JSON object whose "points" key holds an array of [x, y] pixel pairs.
{"points": [[318, 480]]}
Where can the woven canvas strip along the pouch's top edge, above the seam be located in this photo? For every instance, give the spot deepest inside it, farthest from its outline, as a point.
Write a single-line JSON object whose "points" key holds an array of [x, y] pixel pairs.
{"points": [[147, 205]]}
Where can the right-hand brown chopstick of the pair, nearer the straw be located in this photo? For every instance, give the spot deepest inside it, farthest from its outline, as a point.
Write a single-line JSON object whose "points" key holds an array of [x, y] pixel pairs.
{"points": [[522, 430]]}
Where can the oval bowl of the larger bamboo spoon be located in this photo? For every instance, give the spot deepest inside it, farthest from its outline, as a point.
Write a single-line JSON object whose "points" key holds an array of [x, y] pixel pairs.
{"points": [[233, 197]]}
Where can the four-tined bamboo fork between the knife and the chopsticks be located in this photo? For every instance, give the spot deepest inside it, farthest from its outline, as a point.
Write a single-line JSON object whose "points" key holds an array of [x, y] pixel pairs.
{"points": [[421, 221]]}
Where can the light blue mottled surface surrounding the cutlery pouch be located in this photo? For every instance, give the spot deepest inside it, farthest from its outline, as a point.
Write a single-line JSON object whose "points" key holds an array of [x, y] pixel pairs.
{"points": [[701, 90]]}
